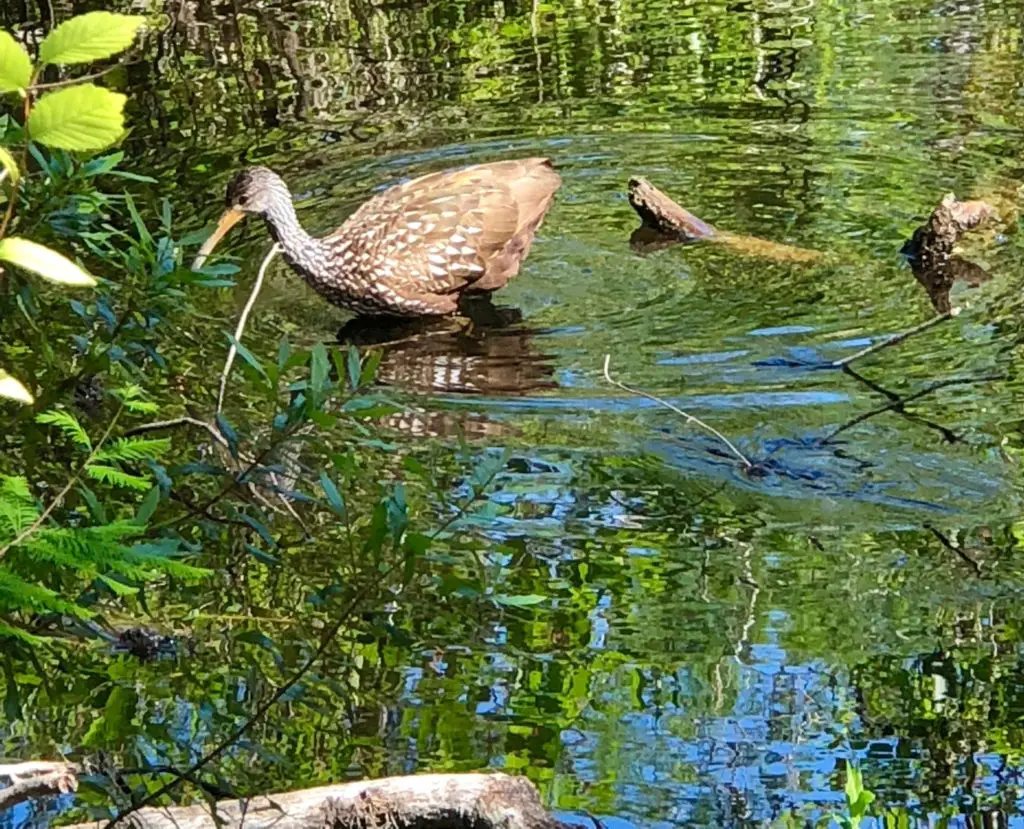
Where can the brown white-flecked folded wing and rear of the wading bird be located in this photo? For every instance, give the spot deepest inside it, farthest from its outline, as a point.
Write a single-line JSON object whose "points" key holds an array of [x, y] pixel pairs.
{"points": [[448, 232]]}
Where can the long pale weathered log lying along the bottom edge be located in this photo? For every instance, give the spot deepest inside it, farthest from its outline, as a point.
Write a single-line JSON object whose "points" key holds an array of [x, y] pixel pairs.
{"points": [[418, 802]]}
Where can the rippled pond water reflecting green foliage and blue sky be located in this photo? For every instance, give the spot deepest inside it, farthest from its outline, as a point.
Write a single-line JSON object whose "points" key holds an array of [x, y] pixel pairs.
{"points": [[702, 646]]}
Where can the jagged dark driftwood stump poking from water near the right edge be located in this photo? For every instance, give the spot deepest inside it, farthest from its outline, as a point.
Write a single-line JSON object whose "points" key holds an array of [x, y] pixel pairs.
{"points": [[930, 250]]}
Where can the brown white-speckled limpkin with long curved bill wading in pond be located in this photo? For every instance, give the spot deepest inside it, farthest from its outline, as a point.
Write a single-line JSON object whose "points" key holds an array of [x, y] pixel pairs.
{"points": [[415, 249]]}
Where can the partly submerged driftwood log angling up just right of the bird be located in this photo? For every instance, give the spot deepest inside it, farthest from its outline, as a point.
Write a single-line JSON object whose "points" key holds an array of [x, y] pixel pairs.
{"points": [[666, 224]]}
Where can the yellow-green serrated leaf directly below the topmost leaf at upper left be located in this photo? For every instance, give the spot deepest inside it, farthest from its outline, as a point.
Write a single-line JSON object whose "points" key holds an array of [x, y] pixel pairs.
{"points": [[86, 117]]}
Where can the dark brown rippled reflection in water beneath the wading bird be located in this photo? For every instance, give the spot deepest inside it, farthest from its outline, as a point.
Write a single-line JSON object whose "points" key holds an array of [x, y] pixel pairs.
{"points": [[488, 352]]}
